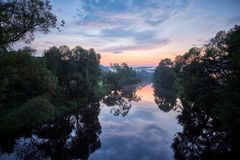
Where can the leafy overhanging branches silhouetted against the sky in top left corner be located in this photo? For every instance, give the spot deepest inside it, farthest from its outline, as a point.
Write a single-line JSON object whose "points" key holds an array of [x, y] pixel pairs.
{"points": [[19, 20]]}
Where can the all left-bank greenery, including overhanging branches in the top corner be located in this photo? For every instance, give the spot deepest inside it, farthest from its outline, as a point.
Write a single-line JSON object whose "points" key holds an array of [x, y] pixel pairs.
{"points": [[33, 89]]}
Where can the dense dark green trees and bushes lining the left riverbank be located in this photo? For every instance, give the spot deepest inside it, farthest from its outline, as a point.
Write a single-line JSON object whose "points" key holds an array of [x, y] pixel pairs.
{"points": [[37, 89]]}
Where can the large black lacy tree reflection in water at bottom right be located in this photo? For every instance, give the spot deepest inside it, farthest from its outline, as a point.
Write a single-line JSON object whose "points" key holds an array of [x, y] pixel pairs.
{"points": [[201, 137]]}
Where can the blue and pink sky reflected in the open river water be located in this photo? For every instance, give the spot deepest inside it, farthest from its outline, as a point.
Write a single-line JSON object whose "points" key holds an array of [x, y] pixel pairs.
{"points": [[145, 133]]}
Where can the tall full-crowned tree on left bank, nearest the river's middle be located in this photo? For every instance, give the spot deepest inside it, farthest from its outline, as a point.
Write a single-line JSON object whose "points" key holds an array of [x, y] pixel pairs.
{"points": [[77, 70]]}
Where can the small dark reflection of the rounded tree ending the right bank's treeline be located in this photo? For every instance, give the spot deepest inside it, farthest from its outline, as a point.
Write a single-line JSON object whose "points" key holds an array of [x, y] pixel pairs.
{"points": [[165, 98]]}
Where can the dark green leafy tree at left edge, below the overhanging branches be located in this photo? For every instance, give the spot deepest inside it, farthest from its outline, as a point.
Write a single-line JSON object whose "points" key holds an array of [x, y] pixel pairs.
{"points": [[23, 76]]}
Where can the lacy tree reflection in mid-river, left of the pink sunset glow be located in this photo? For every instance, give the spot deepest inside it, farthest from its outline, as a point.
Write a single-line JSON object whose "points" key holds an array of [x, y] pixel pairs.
{"points": [[120, 100]]}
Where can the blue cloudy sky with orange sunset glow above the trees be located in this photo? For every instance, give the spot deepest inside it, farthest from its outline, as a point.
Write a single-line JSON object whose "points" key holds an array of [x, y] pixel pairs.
{"points": [[138, 32]]}
